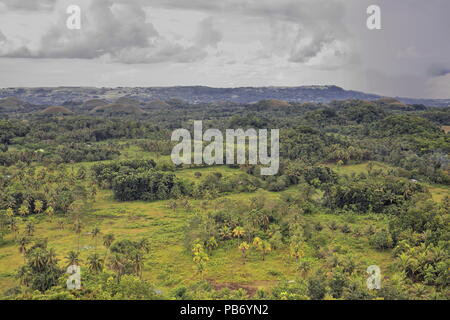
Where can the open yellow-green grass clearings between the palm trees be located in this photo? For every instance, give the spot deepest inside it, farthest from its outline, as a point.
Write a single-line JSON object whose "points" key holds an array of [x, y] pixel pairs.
{"points": [[169, 262]]}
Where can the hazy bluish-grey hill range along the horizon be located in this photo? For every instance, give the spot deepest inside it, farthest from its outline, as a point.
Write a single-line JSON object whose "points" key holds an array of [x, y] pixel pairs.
{"points": [[194, 94]]}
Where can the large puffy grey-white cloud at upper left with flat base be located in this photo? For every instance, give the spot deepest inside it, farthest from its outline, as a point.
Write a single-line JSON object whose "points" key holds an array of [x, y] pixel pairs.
{"points": [[118, 31]]}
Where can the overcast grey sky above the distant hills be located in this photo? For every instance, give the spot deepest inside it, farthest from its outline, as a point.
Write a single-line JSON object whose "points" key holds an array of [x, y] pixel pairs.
{"points": [[228, 43]]}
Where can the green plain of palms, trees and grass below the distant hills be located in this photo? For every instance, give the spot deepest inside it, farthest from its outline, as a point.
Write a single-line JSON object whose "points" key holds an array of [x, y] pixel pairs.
{"points": [[92, 184]]}
